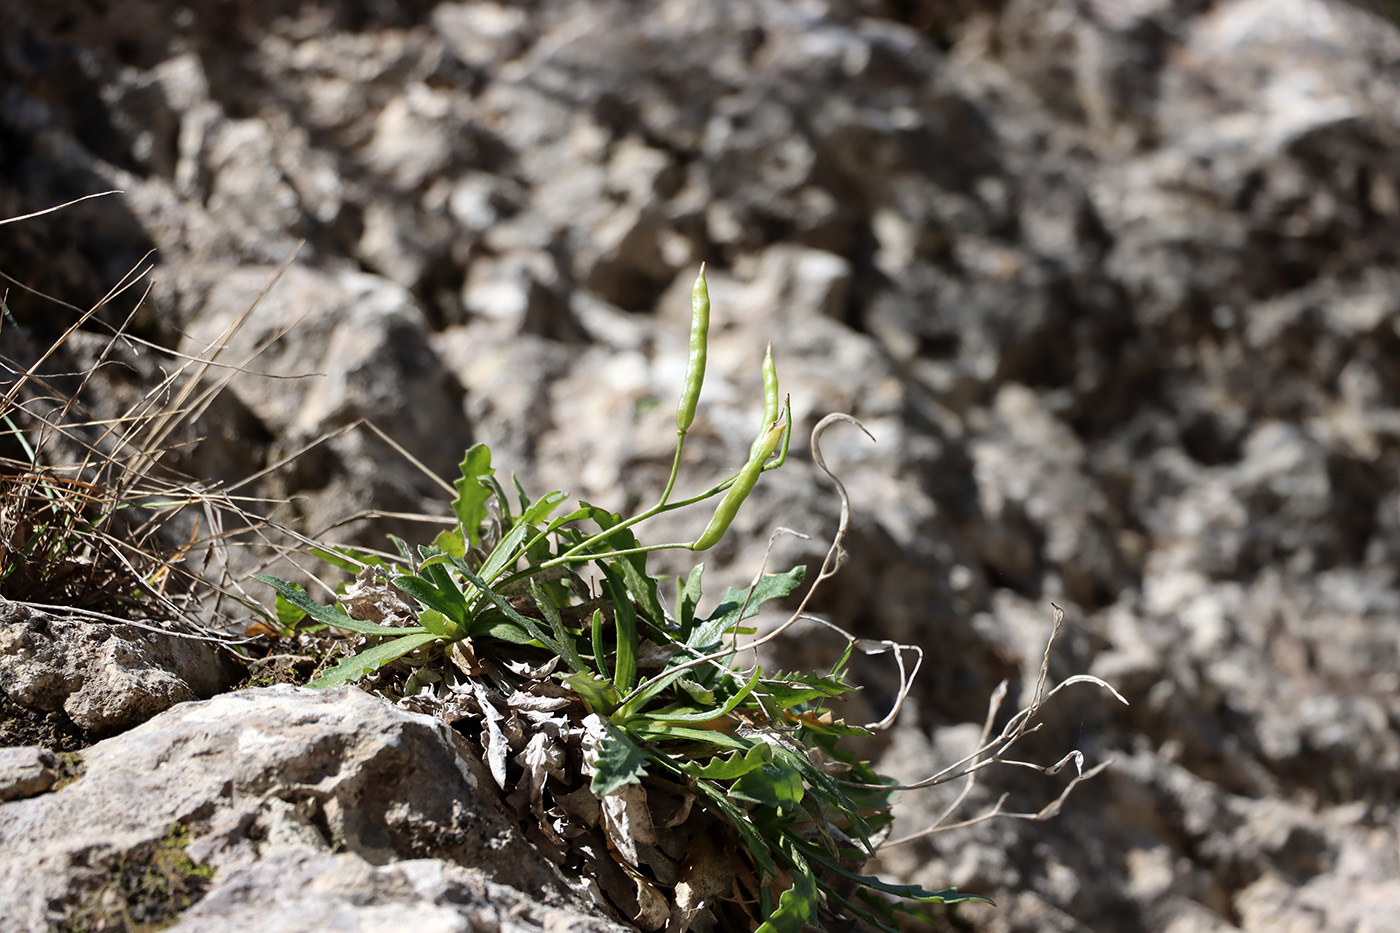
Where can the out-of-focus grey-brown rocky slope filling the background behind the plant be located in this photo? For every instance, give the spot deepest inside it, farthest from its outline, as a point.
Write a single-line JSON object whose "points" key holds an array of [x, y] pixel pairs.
{"points": [[1114, 284]]}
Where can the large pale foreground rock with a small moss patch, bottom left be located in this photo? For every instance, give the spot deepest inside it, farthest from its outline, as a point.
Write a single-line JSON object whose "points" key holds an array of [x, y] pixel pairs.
{"points": [[262, 788]]}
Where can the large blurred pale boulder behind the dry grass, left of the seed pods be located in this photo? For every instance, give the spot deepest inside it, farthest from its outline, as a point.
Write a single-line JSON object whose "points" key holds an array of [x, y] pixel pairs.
{"points": [[325, 352]]}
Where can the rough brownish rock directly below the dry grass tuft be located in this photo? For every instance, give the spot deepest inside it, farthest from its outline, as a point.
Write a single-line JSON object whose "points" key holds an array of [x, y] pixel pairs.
{"points": [[104, 676]]}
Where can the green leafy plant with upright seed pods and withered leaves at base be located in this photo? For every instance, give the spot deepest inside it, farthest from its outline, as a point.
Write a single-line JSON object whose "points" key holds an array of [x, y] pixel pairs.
{"points": [[694, 792]]}
